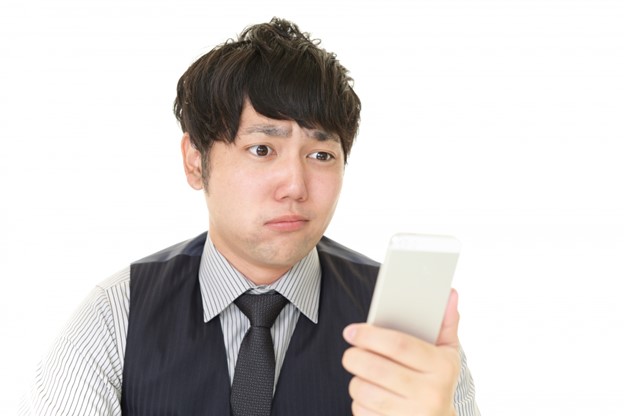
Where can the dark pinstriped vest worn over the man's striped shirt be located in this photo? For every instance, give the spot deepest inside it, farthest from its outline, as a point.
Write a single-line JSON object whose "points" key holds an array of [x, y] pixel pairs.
{"points": [[175, 363]]}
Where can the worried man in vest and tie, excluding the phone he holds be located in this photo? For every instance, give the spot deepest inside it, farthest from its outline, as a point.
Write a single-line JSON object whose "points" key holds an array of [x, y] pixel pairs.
{"points": [[268, 123]]}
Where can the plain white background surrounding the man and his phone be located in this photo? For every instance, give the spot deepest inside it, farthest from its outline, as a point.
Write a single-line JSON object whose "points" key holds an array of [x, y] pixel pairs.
{"points": [[499, 122]]}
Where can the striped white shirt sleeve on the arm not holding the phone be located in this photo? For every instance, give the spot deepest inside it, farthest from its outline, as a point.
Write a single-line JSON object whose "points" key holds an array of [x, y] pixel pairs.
{"points": [[82, 372]]}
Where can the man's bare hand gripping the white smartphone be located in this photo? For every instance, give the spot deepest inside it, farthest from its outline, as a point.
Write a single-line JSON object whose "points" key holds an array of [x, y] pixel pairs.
{"points": [[398, 374]]}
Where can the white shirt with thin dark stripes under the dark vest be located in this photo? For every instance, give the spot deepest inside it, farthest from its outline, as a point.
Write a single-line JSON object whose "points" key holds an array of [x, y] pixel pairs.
{"points": [[82, 373]]}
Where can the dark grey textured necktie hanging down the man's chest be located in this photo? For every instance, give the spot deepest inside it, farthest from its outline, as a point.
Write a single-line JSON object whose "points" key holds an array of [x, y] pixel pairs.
{"points": [[254, 375]]}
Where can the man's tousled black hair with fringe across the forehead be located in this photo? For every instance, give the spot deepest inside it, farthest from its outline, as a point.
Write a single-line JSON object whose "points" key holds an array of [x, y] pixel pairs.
{"points": [[283, 73]]}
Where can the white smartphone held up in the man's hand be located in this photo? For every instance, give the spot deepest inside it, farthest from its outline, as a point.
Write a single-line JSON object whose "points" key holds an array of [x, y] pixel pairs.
{"points": [[414, 284]]}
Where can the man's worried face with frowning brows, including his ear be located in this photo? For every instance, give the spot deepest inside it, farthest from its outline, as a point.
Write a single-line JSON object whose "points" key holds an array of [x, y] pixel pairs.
{"points": [[271, 194]]}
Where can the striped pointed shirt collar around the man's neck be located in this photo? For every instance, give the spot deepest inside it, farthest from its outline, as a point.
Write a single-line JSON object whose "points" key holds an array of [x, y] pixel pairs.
{"points": [[220, 283]]}
